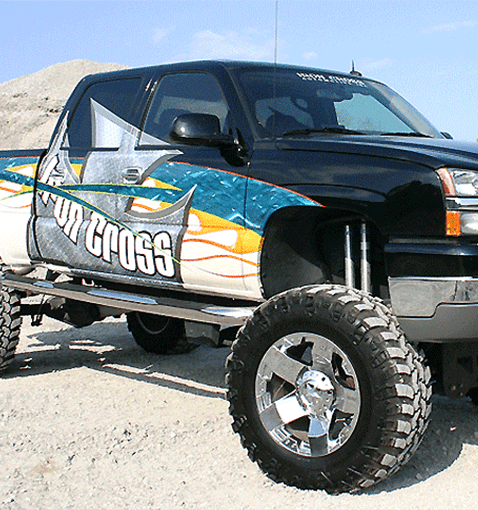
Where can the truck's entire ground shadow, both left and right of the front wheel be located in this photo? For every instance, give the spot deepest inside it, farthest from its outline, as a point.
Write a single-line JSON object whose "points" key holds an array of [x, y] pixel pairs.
{"points": [[109, 347]]}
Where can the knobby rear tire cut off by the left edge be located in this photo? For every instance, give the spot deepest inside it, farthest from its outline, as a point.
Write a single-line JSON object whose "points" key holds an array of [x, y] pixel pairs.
{"points": [[10, 325]]}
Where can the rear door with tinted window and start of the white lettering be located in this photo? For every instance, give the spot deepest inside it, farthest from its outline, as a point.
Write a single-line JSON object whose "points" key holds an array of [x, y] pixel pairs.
{"points": [[82, 171]]}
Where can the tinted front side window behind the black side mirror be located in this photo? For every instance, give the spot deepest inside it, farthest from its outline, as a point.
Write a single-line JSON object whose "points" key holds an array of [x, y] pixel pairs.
{"points": [[178, 94]]}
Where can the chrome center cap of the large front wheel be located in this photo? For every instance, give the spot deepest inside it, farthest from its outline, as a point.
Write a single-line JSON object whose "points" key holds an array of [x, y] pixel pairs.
{"points": [[315, 392]]}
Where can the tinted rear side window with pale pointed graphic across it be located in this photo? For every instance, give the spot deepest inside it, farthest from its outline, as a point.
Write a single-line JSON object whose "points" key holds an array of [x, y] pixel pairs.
{"points": [[99, 118]]}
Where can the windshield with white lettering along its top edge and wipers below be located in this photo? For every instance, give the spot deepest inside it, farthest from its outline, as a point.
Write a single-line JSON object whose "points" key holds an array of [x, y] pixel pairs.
{"points": [[286, 101]]}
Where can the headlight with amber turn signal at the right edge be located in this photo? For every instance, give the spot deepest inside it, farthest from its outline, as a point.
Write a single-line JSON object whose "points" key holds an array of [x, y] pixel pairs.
{"points": [[461, 191]]}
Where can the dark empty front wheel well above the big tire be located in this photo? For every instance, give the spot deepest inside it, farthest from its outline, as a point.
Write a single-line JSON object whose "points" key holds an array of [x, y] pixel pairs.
{"points": [[306, 245]]}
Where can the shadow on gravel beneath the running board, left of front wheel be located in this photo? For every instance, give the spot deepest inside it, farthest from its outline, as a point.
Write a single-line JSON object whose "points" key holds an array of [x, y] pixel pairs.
{"points": [[109, 347]]}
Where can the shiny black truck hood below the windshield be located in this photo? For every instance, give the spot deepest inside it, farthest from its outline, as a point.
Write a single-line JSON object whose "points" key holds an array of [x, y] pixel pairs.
{"points": [[431, 152]]}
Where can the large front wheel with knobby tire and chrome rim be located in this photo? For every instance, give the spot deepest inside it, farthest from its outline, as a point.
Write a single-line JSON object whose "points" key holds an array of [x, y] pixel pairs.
{"points": [[324, 390]]}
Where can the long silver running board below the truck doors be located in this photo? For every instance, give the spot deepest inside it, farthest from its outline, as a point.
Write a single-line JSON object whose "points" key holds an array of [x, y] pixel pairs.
{"points": [[126, 301]]}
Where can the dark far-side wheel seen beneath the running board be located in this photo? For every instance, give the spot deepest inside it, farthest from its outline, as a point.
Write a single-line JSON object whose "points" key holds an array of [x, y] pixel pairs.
{"points": [[155, 333]]}
